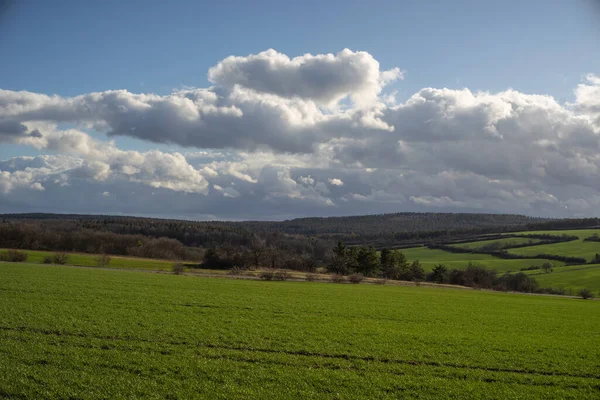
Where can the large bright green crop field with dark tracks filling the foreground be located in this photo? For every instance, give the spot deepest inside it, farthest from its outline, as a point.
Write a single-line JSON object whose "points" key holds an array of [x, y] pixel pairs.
{"points": [[92, 333]]}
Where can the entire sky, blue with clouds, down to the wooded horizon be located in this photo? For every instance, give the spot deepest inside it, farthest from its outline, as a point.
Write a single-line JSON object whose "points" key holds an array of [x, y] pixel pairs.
{"points": [[266, 110]]}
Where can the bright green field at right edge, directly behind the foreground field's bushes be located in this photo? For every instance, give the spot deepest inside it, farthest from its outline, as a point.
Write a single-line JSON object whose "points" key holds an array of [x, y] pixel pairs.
{"points": [[573, 277]]}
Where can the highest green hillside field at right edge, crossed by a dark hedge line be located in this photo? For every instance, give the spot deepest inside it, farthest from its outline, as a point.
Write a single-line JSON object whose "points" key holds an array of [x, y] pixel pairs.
{"points": [[577, 248]]}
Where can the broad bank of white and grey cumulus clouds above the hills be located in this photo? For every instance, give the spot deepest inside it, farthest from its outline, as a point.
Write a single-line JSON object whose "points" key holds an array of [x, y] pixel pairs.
{"points": [[280, 137]]}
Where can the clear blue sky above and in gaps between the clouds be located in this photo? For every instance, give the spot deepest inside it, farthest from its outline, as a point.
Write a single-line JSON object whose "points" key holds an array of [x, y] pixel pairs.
{"points": [[71, 48]]}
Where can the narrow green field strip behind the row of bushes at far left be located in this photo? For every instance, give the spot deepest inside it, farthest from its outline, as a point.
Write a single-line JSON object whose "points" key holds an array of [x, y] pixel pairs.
{"points": [[89, 260]]}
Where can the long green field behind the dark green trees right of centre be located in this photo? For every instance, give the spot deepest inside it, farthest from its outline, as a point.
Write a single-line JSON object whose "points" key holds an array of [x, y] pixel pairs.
{"points": [[430, 257]]}
